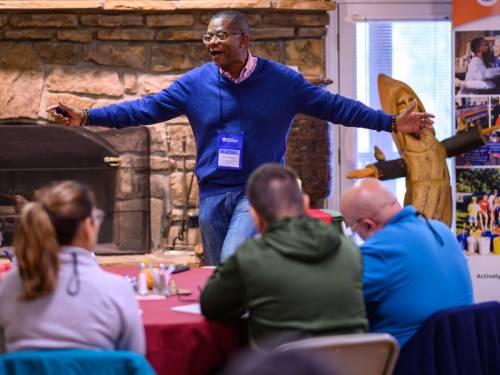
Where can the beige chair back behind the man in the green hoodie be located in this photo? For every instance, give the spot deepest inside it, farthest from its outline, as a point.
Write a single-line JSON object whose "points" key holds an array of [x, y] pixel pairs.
{"points": [[366, 354]]}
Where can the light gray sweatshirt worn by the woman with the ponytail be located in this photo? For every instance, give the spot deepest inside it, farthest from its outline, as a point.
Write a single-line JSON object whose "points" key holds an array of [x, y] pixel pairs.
{"points": [[89, 309]]}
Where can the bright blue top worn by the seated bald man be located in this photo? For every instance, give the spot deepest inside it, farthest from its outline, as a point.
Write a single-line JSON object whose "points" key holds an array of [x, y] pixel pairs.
{"points": [[409, 274]]}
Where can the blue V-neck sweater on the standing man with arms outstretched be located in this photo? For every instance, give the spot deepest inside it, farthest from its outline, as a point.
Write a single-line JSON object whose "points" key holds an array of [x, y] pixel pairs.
{"points": [[262, 106]]}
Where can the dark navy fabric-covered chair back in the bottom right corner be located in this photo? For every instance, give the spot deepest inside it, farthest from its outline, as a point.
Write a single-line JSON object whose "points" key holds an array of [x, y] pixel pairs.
{"points": [[456, 341]]}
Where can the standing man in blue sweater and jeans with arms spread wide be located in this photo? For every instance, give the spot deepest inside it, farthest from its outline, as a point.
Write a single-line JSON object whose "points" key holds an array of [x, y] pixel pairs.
{"points": [[240, 108]]}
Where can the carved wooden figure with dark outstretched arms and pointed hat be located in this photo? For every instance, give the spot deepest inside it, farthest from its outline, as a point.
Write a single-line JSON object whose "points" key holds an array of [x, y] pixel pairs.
{"points": [[423, 160]]}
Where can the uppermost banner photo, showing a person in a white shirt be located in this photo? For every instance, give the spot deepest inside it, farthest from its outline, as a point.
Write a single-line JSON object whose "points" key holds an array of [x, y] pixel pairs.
{"points": [[477, 62]]}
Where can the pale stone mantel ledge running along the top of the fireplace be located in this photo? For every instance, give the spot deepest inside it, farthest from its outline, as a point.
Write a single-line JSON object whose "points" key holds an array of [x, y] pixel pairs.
{"points": [[167, 5]]}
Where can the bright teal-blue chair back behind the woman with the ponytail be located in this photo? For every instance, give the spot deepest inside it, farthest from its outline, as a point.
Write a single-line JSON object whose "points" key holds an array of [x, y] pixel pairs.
{"points": [[74, 362]]}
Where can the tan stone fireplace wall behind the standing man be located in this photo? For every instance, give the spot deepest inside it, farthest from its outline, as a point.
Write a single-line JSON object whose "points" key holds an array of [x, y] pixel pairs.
{"points": [[92, 53]]}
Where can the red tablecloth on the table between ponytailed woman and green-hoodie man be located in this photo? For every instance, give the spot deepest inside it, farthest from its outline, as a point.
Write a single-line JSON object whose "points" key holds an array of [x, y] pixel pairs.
{"points": [[186, 344]]}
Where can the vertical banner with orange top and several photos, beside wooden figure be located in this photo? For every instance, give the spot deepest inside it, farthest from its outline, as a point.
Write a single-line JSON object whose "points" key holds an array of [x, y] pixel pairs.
{"points": [[477, 104]]}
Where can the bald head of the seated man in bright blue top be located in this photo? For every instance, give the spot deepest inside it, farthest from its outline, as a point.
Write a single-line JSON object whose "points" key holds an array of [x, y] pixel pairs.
{"points": [[367, 206]]}
